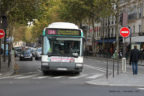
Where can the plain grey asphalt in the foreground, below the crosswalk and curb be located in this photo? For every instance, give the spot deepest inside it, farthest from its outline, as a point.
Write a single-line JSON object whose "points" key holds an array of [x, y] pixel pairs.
{"points": [[60, 87]]}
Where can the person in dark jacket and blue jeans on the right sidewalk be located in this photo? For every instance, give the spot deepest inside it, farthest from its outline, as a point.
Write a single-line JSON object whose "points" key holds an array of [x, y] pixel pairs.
{"points": [[134, 57]]}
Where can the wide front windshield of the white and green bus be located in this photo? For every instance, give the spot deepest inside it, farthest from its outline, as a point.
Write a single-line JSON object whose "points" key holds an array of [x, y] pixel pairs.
{"points": [[54, 46]]}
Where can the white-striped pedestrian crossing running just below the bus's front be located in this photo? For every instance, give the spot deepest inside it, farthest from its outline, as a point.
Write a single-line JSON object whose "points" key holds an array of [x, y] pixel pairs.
{"points": [[39, 77]]}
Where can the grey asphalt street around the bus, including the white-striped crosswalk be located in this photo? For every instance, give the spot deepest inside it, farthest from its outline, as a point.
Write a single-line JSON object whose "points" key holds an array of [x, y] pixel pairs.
{"points": [[30, 82]]}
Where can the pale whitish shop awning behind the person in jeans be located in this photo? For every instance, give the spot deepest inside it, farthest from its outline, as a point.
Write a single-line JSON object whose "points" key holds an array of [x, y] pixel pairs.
{"points": [[136, 39]]}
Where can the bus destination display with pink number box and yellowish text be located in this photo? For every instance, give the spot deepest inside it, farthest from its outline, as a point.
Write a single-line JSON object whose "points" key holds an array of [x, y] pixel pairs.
{"points": [[67, 32]]}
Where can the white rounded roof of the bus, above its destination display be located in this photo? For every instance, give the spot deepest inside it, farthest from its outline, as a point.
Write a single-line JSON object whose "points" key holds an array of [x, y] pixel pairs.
{"points": [[63, 25]]}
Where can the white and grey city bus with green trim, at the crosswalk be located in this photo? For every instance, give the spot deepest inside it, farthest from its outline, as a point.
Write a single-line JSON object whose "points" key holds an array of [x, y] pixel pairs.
{"points": [[62, 48]]}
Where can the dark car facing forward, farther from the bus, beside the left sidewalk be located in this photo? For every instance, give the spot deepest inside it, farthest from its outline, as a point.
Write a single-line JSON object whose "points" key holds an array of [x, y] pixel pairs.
{"points": [[26, 55]]}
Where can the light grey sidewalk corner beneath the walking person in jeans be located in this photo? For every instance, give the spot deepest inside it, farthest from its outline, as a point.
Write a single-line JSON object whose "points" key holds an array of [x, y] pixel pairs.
{"points": [[123, 79]]}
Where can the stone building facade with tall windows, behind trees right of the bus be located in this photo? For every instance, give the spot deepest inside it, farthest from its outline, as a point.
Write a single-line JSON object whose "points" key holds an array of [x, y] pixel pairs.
{"points": [[131, 14]]}
